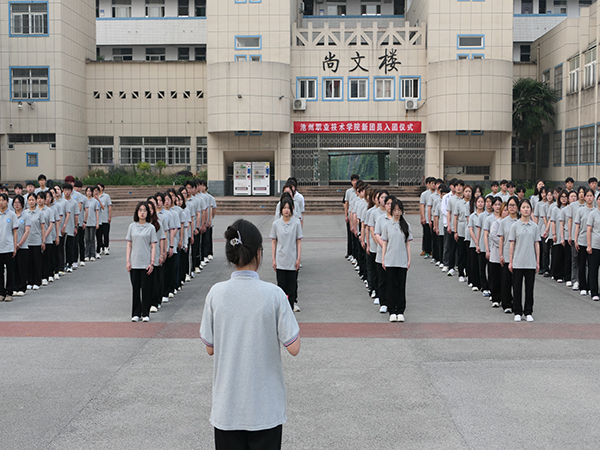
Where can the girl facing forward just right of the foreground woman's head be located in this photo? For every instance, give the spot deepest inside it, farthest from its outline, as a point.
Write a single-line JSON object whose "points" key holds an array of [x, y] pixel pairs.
{"points": [[286, 248]]}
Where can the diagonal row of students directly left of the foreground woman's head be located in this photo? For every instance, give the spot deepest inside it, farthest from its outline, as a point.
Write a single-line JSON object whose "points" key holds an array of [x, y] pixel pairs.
{"points": [[168, 243]]}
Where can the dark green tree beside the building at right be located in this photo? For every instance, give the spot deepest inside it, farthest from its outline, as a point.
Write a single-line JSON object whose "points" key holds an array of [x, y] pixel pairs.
{"points": [[533, 108]]}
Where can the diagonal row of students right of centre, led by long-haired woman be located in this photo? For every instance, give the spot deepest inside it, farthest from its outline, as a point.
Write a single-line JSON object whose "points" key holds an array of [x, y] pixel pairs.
{"points": [[379, 245]]}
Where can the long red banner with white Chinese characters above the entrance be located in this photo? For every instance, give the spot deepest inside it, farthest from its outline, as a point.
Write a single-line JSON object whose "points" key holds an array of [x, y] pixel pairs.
{"points": [[360, 126]]}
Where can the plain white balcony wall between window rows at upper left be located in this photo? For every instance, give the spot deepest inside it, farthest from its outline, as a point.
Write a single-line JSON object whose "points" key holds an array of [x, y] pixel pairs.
{"points": [[151, 31]]}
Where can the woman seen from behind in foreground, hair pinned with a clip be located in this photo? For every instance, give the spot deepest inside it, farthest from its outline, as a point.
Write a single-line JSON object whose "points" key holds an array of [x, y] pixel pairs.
{"points": [[244, 324]]}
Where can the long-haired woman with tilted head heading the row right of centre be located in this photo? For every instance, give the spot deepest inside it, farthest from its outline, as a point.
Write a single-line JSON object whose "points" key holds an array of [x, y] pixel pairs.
{"points": [[396, 237]]}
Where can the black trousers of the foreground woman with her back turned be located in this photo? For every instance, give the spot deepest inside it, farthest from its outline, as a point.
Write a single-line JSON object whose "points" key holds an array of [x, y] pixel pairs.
{"points": [[249, 440]]}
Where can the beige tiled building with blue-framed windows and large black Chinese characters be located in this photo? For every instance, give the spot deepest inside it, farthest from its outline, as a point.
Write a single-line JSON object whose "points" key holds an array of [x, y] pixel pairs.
{"points": [[395, 89]]}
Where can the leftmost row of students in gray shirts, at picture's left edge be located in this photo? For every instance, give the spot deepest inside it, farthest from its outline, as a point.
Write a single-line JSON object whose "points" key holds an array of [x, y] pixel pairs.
{"points": [[42, 227]]}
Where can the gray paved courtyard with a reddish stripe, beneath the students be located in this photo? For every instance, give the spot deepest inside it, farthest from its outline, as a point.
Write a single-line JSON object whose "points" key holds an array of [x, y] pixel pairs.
{"points": [[76, 374]]}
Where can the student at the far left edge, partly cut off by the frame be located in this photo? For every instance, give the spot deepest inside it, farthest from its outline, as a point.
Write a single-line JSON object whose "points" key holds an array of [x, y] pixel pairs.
{"points": [[8, 248]]}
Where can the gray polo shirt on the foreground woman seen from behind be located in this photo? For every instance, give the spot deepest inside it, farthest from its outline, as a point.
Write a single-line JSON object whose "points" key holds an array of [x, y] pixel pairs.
{"points": [[246, 321]]}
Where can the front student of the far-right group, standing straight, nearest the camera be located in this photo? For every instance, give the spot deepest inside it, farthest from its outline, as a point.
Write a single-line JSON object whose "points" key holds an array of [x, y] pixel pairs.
{"points": [[524, 263]]}
